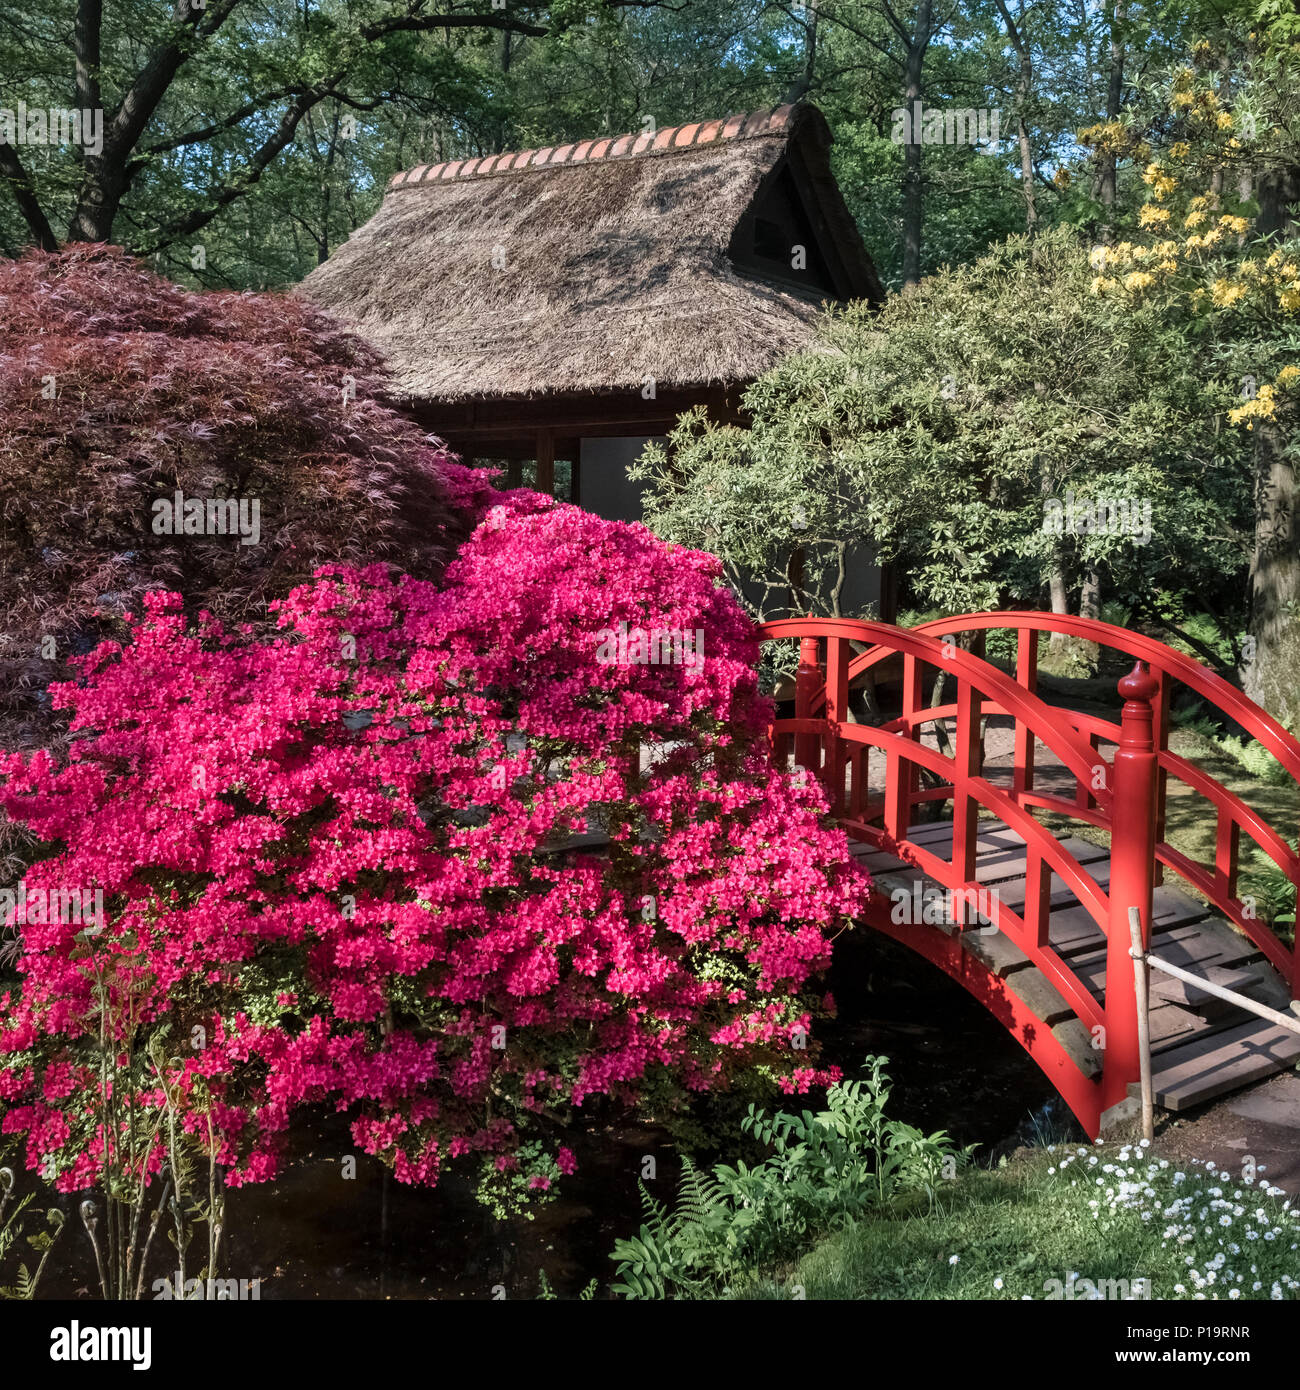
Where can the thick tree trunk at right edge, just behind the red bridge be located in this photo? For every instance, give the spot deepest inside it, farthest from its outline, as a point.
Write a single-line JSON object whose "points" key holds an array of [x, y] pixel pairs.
{"points": [[1270, 679]]}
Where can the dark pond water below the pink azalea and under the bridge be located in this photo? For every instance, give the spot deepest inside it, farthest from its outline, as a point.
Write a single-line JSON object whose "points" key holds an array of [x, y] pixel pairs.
{"points": [[315, 1235]]}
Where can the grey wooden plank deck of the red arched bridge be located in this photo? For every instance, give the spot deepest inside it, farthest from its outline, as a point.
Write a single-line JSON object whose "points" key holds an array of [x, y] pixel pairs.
{"points": [[1202, 1047]]}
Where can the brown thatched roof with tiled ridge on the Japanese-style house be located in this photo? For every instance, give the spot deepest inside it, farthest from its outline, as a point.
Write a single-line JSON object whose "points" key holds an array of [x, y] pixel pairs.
{"points": [[592, 266]]}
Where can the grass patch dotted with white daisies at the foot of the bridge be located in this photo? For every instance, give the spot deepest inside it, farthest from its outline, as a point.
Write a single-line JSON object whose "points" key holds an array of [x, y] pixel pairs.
{"points": [[1069, 1223]]}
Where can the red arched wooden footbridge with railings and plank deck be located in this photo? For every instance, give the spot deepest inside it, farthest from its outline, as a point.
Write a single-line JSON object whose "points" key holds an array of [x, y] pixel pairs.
{"points": [[1032, 915]]}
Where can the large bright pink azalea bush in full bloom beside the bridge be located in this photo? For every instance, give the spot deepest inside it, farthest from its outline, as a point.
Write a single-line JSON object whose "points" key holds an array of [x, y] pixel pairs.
{"points": [[334, 869]]}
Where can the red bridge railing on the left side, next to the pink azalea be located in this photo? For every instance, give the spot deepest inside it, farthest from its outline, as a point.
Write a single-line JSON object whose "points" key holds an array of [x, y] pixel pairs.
{"points": [[825, 742]]}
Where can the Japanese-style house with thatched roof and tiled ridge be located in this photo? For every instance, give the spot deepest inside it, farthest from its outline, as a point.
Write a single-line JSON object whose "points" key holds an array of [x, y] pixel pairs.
{"points": [[569, 302]]}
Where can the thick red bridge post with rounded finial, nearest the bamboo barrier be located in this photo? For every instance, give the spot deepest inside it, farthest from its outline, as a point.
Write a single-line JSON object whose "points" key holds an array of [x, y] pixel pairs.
{"points": [[1132, 876]]}
